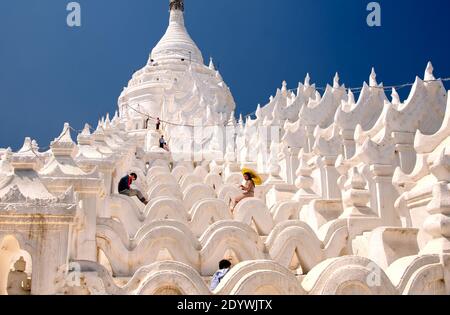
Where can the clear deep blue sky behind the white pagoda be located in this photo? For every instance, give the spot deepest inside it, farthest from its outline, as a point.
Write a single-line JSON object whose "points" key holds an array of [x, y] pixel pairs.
{"points": [[50, 73]]}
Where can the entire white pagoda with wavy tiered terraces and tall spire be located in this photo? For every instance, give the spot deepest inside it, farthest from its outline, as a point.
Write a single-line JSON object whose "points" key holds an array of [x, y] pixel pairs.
{"points": [[354, 200]]}
